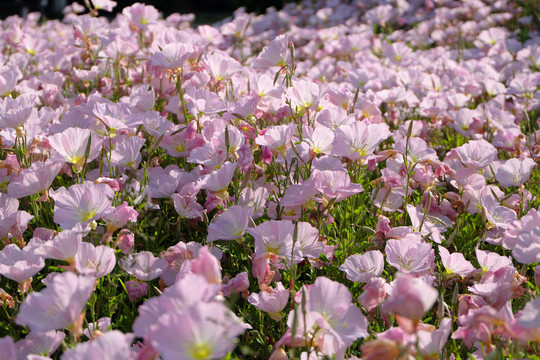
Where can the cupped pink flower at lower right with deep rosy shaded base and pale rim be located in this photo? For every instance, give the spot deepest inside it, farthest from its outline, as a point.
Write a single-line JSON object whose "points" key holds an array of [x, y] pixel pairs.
{"points": [[410, 297]]}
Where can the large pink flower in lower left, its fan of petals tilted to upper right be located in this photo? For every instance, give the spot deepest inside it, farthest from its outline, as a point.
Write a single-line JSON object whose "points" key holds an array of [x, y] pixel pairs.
{"points": [[59, 305]]}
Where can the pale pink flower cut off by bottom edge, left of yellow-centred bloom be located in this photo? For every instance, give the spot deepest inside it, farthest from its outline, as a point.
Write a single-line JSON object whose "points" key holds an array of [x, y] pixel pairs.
{"points": [[110, 346]]}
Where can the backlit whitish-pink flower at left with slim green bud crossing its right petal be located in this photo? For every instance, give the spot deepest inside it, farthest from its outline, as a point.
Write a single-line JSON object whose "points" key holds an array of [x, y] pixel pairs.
{"points": [[71, 145]]}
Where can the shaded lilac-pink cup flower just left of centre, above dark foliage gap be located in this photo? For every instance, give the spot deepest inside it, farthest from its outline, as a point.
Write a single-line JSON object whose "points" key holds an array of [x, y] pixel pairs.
{"points": [[231, 224]]}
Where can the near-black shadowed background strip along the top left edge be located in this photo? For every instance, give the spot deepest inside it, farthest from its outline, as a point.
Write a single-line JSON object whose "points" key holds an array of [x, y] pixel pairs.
{"points": [[167, 7]]}
